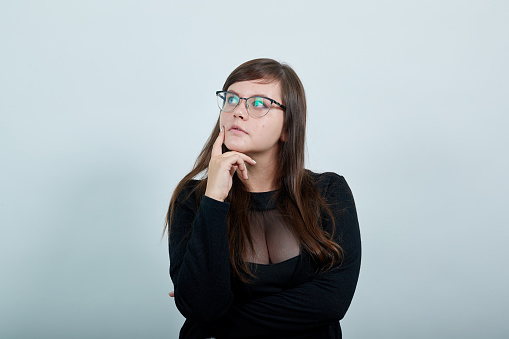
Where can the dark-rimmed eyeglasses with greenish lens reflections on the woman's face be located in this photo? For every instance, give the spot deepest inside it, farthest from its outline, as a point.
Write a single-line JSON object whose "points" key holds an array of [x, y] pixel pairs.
{"points": [[256, 106]]}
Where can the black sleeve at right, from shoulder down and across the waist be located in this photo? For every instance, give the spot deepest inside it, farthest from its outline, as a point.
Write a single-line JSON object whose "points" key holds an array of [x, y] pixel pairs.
{"points": [[314, 304]]}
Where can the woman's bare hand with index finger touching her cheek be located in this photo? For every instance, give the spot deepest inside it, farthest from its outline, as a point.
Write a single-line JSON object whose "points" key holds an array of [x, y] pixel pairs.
{"points": [[222, 166]]}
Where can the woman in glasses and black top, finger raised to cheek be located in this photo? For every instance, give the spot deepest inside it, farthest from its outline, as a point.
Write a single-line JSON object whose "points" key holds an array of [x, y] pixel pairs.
{"points": [[262, 247]]}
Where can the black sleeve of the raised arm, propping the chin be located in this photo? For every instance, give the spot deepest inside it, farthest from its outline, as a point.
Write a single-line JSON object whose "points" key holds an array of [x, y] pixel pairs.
{"points": [[199, 258]]}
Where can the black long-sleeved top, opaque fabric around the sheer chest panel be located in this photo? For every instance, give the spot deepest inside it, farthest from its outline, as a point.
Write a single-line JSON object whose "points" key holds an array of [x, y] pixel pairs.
{"points": [[215, 304]]}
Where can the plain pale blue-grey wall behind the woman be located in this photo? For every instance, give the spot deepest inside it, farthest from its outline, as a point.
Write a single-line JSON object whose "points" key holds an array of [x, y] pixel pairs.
{"points": [[104, 106]]}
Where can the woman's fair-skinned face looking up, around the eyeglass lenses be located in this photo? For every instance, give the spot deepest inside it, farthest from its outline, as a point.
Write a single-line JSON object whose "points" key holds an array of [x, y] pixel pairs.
{"points": [[260, 136]]}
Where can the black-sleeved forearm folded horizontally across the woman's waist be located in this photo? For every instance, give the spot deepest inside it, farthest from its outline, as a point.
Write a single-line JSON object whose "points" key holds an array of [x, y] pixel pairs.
{"points": [[306, 307]]}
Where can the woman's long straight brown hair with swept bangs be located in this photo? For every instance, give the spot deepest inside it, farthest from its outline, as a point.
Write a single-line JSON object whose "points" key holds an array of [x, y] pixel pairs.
{"points": [[298, 200]]}
